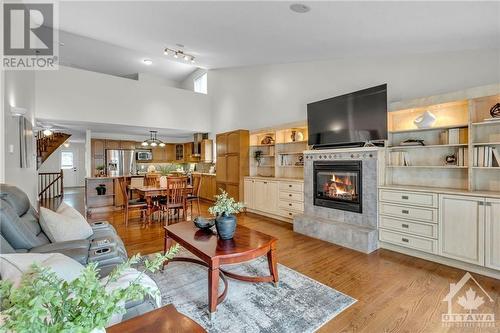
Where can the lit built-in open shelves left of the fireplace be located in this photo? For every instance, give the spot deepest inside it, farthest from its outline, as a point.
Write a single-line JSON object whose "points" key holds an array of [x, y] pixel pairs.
{"points": [[284, 157]]}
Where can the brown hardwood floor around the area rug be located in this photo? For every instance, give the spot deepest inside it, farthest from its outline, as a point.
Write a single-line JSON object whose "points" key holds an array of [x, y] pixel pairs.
{"points": [[395, 292]]}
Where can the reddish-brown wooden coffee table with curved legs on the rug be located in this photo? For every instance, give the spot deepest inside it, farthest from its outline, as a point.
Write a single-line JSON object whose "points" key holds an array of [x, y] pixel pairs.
{"points": [[246, 245]]}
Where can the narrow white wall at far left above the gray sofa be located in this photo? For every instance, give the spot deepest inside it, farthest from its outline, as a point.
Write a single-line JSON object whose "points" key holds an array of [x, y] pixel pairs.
{"points": [[19, 91]]}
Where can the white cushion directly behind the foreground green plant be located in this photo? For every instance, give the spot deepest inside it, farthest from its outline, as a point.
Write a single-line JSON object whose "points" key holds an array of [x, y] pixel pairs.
{"points": [[12, 266]]}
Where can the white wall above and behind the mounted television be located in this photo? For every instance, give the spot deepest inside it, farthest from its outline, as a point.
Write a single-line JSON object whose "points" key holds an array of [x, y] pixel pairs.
{"points": [[263, 96]]}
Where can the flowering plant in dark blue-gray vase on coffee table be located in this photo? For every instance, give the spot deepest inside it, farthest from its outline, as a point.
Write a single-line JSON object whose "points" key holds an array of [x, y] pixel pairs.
{"points": [[224, 210]]}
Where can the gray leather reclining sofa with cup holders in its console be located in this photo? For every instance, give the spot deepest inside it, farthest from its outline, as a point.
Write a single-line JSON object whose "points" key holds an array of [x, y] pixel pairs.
{"points": [[20, 232]]}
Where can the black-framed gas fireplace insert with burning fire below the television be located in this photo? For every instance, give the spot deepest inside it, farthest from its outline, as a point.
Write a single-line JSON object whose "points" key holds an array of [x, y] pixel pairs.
{"points": [[337, 184]]}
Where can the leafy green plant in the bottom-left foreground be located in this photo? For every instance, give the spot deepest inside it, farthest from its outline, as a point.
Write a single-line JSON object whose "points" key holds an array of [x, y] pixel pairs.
{"points": [[43, 302]]}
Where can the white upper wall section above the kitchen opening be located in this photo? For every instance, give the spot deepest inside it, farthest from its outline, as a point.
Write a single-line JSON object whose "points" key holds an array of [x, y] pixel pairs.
{"points": [[78, 95]]}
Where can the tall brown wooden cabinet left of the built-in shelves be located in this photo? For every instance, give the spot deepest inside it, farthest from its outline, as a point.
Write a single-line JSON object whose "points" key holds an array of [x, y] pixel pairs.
{"points": [[232, 161]]}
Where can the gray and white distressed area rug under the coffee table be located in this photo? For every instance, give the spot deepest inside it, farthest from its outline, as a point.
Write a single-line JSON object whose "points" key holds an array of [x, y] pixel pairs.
{"points": [[299, 304]]}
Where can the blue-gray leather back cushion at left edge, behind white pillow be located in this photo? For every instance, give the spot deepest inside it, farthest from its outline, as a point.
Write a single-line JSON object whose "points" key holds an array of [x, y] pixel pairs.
{"points": [[21, 233]]}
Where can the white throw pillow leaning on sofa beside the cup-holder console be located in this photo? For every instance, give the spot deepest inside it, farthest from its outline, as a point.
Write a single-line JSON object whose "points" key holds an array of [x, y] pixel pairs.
{"points": [[61, 228]]}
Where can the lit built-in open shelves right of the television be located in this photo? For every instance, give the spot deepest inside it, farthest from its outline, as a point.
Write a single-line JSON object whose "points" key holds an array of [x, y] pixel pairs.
{"points": [[426, 165]]}
